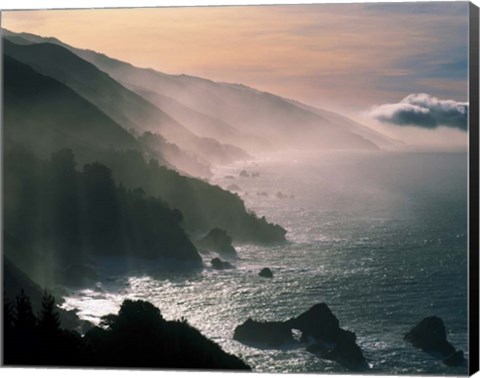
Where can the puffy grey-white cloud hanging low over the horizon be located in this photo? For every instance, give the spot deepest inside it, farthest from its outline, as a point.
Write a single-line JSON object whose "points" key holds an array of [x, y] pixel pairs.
{"points": [[423, 110]]}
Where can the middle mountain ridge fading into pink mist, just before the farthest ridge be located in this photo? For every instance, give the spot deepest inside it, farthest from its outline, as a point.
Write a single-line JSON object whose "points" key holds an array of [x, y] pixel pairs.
{"points": [[124, 106]]}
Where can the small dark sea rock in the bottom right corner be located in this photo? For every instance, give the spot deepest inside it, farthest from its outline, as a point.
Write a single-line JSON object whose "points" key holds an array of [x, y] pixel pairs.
{"points": [[430, 336]]}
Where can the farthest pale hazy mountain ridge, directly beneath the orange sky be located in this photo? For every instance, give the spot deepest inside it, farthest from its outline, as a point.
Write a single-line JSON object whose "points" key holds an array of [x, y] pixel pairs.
{"points": [[284, 123]]}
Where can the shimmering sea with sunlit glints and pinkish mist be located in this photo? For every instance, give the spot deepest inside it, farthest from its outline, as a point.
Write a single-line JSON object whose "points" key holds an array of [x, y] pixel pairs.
{"points": [[380, 237]]}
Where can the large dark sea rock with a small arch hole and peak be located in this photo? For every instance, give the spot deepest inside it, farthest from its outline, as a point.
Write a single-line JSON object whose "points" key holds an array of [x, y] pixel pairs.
{"points": [[319, 328]]}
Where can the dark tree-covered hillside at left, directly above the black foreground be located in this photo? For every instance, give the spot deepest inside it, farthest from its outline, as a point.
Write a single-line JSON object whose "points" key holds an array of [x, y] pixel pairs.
{"points": [[66, 217]]}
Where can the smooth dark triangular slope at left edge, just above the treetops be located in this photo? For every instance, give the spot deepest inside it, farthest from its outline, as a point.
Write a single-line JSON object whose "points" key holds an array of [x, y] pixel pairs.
{"points": [[43, 115]]}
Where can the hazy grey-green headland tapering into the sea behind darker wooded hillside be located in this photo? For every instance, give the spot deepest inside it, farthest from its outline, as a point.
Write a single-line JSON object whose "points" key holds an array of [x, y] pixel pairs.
{"points": [[204, 206]]}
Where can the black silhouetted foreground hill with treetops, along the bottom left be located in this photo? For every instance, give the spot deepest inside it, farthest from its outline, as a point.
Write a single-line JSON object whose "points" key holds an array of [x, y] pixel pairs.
{"points": [[137, 337]]}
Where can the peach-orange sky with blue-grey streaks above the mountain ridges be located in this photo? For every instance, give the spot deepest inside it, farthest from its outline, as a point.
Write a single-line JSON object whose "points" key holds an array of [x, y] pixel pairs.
{"points": [[350, 58]]}
